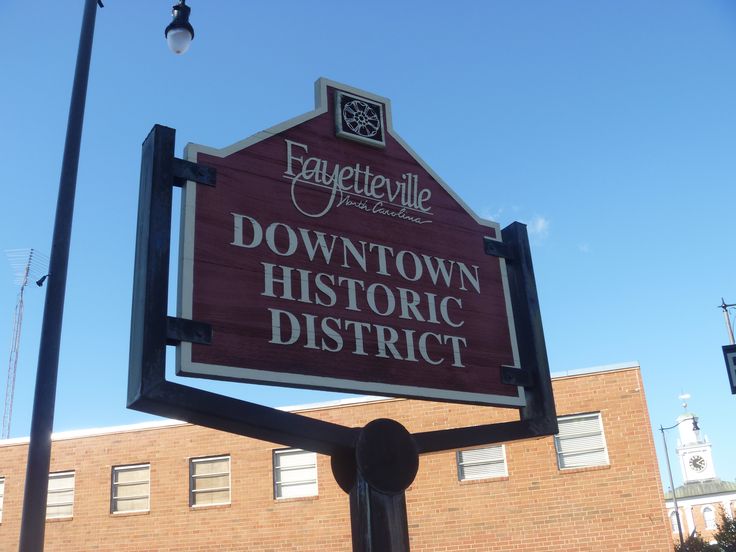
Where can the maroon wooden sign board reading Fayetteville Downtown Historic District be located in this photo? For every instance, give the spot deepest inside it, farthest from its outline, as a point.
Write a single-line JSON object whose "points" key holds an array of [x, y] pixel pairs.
{"points": [[330, 256]]}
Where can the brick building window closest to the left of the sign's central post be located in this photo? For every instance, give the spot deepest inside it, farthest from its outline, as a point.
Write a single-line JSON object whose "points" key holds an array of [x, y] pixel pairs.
{"points": [[294, 473]]}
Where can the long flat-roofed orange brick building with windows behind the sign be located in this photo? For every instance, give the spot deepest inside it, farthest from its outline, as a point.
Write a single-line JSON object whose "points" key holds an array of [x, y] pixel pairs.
{"points": [[168, 486]]}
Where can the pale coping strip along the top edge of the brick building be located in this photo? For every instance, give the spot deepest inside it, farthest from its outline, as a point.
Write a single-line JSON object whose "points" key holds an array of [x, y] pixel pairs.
{"points": [[351, 401]]}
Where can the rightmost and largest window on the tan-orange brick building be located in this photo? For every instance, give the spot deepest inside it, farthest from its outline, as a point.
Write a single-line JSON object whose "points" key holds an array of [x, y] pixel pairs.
{"points": [[580, 442]]}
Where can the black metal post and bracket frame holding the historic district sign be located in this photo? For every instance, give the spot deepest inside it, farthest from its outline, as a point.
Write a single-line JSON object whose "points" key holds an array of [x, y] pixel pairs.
{"points": [[375, 464]]}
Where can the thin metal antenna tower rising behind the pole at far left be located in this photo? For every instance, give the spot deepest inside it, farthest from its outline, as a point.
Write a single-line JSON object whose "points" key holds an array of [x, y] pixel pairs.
{"points": [[26, 263]]}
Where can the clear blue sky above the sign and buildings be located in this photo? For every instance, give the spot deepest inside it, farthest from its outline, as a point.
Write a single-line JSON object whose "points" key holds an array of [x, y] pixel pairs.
{"points": [[608, 127]]}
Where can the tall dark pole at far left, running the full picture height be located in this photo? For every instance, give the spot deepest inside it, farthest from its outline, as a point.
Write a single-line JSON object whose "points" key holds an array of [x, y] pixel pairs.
{"points": [[33, 524]]}
